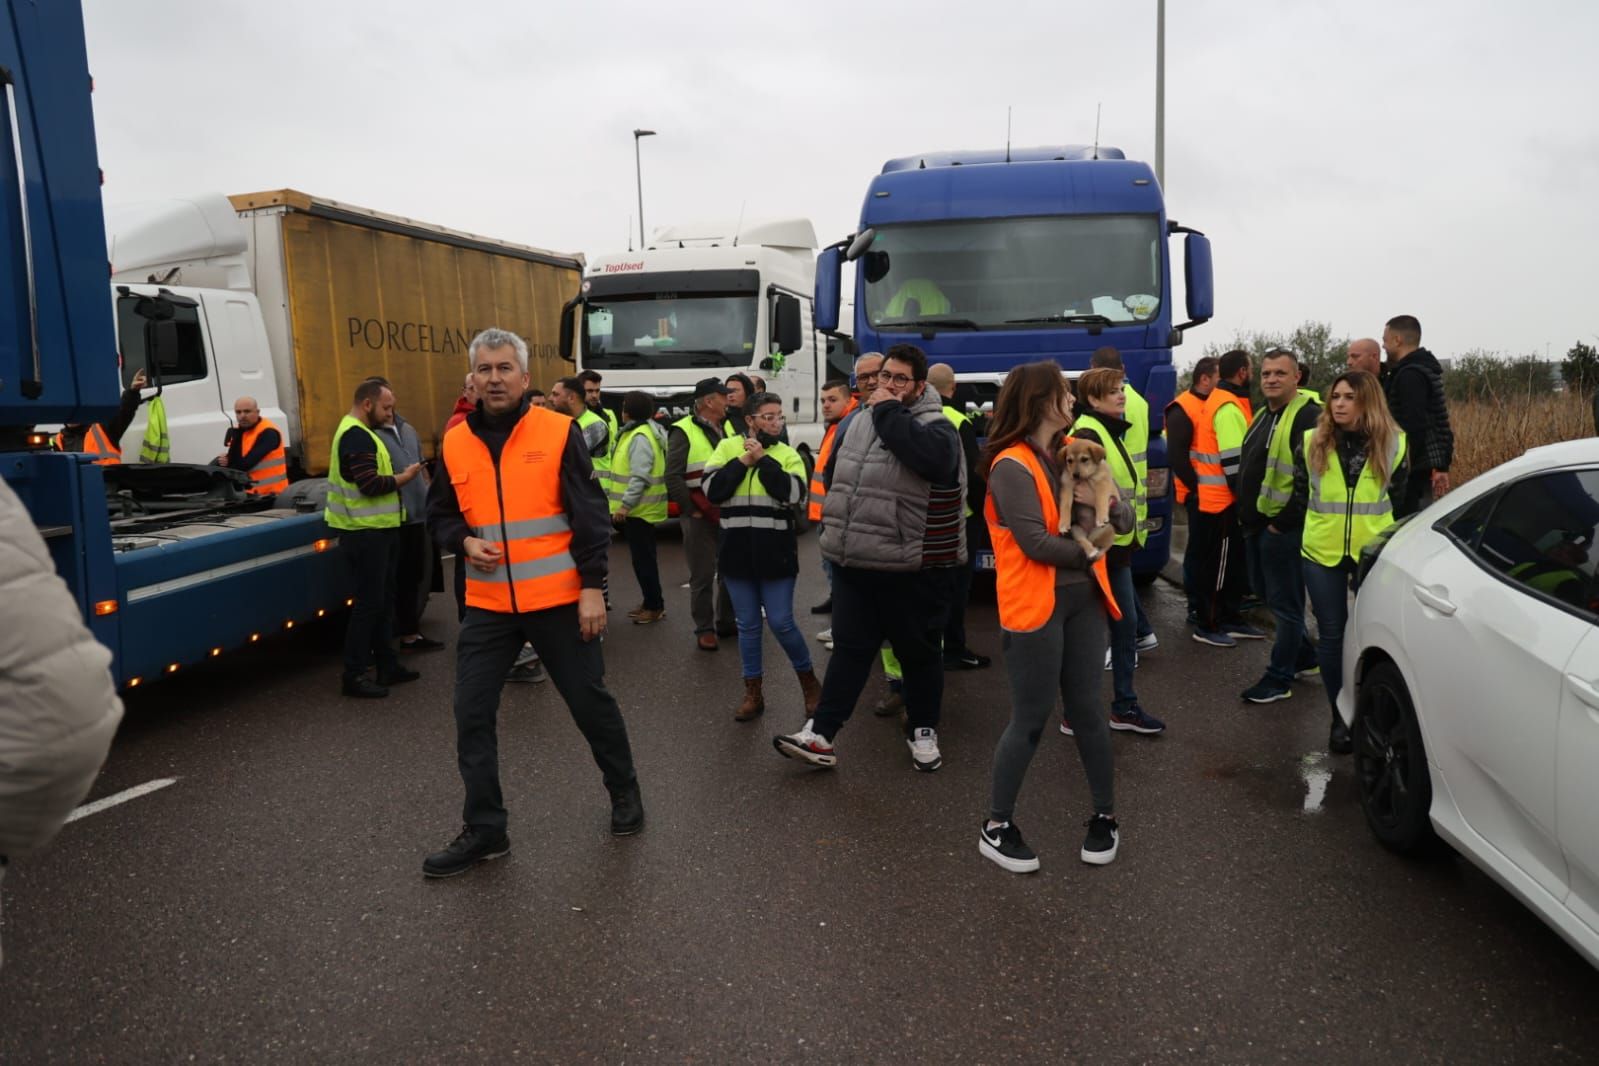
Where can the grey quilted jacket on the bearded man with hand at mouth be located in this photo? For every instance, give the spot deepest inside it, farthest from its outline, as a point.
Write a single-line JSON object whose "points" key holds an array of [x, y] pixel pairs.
{"points": [[896, 490]]}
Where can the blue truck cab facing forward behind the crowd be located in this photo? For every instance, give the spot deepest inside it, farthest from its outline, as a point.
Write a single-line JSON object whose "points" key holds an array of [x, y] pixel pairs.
{"points": [[999, 258]]}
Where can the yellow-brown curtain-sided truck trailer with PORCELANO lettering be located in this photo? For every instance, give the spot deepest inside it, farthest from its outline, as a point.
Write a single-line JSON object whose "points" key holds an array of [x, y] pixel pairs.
{"points": [[353, 293]]}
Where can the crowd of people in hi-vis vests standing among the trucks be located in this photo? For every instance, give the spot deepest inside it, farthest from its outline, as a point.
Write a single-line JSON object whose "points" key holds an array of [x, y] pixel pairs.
{"points": [[530, 488]]}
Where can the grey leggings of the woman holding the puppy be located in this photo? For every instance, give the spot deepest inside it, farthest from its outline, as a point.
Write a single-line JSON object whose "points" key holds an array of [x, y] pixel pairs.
{"points": [[1067, 659]]}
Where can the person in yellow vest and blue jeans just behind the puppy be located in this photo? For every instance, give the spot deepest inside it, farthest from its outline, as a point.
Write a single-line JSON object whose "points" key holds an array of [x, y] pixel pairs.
{"points": [[1101, 408]]}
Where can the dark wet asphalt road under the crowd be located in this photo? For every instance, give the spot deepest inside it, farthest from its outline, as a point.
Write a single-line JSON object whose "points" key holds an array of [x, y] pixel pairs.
{"points": [[269, 905]]}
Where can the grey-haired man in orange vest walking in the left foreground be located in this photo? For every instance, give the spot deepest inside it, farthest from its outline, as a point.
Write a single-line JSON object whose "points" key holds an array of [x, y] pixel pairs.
{"points": [[517, 503]]}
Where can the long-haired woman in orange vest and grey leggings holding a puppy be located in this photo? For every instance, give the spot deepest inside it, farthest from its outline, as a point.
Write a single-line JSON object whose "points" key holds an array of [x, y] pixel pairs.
{"points": [[1051, 611]]}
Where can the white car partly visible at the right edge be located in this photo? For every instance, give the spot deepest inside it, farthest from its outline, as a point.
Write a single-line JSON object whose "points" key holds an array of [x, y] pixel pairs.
{"points": [[1472, 683]]}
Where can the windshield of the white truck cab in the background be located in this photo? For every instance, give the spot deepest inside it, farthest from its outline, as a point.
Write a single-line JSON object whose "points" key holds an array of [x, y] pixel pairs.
{"points": [[661, 332]]}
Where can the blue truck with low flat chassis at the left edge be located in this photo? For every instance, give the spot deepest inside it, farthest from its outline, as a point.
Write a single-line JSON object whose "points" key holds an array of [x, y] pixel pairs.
{"points": [[169, 563]]}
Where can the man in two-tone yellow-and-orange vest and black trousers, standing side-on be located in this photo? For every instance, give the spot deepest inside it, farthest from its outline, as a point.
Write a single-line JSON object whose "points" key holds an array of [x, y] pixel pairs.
{"points": [[1216, 539]]}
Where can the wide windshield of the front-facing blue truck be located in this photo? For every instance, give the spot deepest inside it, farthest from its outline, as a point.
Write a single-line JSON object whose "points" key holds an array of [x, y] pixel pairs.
{"points": [[1015, 274]]}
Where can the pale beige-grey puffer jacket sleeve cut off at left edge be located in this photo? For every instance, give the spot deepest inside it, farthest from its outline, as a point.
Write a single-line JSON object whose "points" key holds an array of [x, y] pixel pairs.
{"points": [[58, 704]]}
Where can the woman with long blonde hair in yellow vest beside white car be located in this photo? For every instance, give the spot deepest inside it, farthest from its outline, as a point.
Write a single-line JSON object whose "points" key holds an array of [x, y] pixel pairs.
{"points": [[1350, 474]]}
